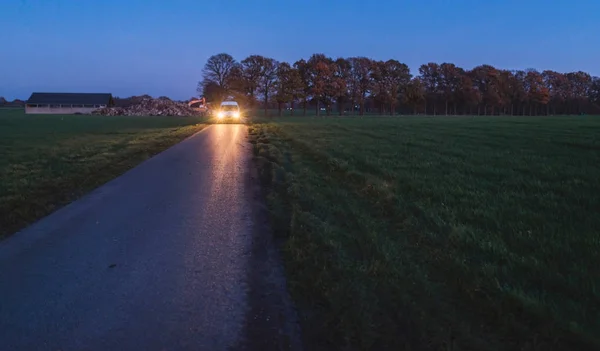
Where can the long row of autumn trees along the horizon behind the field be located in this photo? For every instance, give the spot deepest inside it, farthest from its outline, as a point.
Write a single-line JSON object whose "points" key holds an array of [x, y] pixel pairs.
{"points": [[357, 85]]}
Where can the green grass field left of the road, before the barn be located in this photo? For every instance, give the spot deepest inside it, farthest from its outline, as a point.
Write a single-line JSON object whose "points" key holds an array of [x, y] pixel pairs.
{"points": [[47, 161]]}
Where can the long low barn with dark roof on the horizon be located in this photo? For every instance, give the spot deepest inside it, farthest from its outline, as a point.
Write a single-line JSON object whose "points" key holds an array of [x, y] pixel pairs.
{"points": [[67, 103]]}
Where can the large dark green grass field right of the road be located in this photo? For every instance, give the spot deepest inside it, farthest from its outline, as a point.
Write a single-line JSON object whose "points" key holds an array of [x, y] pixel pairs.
{"points": [[447, 233]]}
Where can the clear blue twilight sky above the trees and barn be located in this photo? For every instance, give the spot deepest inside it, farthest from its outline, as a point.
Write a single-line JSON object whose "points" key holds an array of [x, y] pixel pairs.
{"points": [[132, 47]]}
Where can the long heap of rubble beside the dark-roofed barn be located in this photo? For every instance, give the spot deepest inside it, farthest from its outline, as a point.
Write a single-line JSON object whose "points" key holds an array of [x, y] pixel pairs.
{"points": [[149, 107]]}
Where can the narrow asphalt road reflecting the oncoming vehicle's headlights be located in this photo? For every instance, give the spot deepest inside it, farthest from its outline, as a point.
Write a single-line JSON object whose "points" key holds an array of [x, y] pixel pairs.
{"points": [[164, 257]]}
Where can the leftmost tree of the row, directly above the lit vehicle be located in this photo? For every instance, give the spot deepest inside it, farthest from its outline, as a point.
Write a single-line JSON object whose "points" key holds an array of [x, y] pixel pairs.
{"points": [[218, 71]]}
